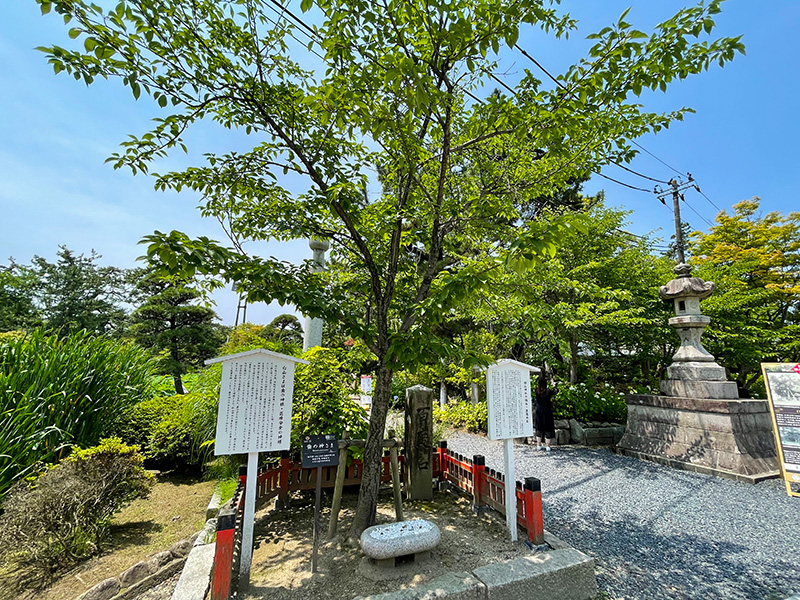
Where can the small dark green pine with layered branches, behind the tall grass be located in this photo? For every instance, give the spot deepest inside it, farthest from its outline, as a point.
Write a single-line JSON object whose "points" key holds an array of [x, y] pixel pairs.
{"points": [[172, 323]]}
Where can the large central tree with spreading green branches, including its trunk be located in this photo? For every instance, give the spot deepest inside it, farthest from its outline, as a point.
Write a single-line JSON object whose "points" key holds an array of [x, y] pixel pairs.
{"points": [[394, 96]]}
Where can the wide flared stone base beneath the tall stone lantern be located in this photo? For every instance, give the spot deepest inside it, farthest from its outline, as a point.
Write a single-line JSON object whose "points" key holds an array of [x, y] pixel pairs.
{"points": [[724, 437]]}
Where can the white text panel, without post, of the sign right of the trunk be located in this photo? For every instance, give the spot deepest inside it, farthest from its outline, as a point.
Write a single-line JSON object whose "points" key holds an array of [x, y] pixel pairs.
{"points": [[508, 399]]}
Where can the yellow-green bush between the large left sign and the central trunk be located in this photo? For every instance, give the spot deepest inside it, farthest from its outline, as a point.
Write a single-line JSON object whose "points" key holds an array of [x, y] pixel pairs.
{"points": [[321, 401]]}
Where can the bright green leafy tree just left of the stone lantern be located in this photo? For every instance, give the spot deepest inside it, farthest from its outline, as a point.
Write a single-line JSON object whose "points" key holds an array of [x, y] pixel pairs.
{"points": [[595, 301]]}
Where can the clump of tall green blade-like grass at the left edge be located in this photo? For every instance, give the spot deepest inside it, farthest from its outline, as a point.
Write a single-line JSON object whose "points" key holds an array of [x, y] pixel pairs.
{"points": [[56, 393]]}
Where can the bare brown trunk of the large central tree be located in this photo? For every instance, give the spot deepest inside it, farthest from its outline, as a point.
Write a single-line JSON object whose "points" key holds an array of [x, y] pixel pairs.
{"points": [[373, 452]]}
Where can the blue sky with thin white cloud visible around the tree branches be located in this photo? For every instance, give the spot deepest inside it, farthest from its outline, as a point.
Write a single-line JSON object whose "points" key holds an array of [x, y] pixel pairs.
{"points": [[55, 134]]}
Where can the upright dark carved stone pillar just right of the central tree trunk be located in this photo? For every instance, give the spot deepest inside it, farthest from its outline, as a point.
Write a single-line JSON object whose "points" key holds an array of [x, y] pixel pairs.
{"points": [[419, 443]]}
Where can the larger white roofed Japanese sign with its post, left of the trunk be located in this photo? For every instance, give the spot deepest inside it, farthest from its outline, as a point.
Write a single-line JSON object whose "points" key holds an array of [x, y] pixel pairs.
{"points": [[254, 415]]}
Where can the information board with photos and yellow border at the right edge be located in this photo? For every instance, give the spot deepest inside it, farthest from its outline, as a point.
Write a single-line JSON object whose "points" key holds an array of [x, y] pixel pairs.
{"points": [[782, 381]]}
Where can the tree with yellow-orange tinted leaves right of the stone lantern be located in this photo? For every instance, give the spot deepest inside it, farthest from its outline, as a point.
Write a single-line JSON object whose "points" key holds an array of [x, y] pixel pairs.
{"points": [[754, 260]]}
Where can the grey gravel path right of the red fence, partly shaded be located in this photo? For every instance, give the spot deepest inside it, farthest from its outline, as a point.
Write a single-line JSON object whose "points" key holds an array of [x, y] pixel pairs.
{"points": [[656, 532]]}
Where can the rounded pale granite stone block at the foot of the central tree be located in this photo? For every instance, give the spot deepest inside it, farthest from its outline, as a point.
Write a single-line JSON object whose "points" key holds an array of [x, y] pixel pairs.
{"points": [[381, 542]]}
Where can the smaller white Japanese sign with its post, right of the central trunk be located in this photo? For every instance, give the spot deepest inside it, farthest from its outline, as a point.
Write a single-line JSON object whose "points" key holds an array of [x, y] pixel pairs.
{"points": [[510, 415]]}
